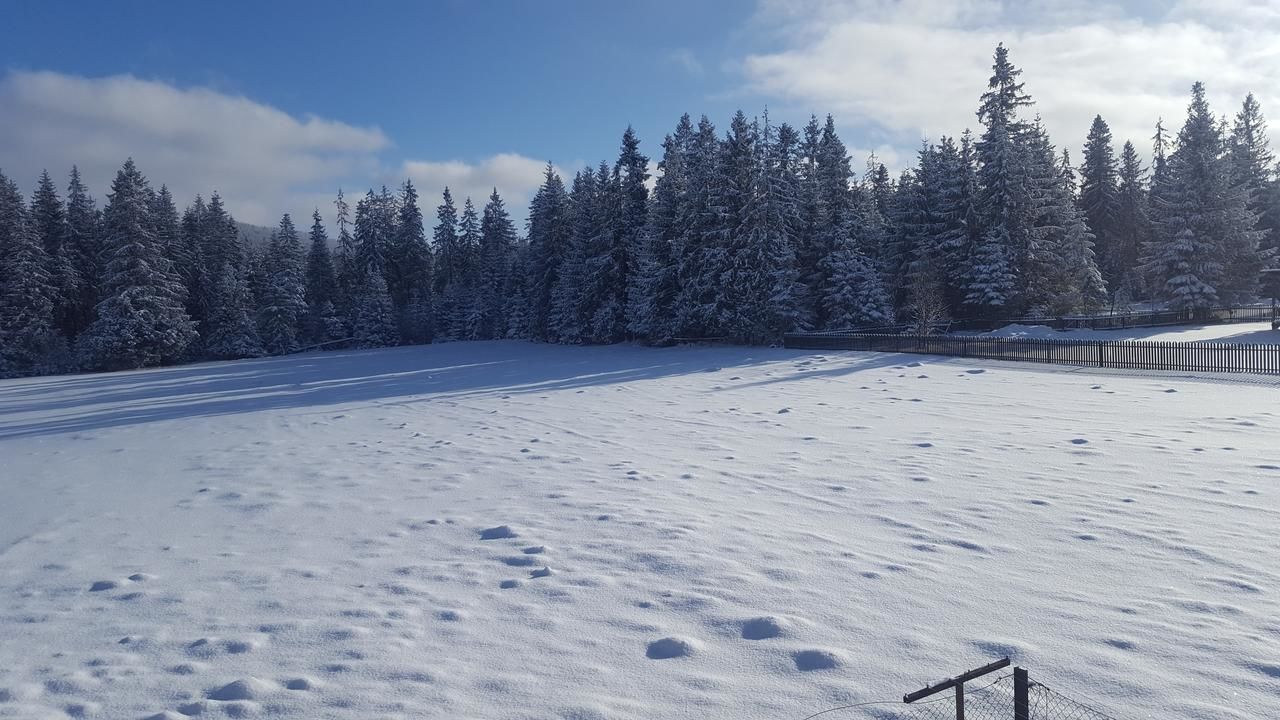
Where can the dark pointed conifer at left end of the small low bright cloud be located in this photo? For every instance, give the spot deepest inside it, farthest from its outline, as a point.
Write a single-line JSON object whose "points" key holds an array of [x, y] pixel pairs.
{"points": [[410, 268]]}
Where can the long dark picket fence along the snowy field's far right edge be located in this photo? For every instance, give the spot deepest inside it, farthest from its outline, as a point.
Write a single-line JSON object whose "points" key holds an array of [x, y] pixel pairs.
{"points": [[1140, 356]]}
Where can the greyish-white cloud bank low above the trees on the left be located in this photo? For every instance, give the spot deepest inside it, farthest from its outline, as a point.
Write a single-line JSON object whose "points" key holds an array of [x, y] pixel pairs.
{"points": [[263, 161]]}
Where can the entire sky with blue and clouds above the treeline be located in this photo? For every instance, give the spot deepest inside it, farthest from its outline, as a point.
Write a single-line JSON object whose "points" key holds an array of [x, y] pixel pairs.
{"points": [[277, 104]]}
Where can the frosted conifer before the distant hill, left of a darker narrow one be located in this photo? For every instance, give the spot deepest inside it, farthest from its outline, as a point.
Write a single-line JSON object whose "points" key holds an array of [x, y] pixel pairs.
{"points": [[282, 306]]}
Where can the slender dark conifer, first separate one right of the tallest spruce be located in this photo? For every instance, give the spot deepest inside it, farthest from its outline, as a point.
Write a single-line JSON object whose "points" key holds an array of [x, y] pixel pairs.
{"points": [[1100, 199]]}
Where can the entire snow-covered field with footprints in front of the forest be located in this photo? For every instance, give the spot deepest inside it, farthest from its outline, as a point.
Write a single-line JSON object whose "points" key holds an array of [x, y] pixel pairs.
{"points": [[305, 537]]}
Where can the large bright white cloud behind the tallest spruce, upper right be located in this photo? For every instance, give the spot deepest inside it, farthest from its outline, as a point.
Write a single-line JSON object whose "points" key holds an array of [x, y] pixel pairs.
{"points": [[902, 71]]}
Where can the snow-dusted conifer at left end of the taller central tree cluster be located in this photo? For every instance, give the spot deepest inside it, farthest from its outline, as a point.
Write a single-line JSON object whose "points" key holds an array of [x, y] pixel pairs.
{"points": [[550, 235]]}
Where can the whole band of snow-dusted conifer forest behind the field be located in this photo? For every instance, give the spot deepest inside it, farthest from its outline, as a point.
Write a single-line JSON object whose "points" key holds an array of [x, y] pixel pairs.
{"points": [[748, 233]]}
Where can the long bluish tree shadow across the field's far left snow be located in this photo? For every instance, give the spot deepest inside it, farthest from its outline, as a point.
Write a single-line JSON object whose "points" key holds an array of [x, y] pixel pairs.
{"points": [[72, 404]]}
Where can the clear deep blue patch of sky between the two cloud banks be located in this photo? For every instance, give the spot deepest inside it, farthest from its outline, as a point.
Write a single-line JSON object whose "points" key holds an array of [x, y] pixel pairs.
{"points": [[447, 79]]}
